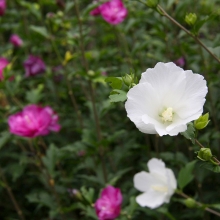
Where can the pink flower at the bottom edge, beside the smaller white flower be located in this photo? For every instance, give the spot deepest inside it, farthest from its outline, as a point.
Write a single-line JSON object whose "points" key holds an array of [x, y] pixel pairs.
{"points": [[108, 206]]}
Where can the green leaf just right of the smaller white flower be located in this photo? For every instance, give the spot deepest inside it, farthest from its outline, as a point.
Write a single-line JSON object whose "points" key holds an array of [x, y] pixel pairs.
{"points": [[185, 175]]}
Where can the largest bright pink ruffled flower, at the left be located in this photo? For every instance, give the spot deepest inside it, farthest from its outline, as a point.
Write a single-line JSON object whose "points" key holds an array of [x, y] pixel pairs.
{"points": [[34, 121]]}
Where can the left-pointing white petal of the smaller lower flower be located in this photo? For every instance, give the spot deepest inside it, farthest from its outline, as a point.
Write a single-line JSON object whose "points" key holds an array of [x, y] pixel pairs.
{"points": [[143, 181]]}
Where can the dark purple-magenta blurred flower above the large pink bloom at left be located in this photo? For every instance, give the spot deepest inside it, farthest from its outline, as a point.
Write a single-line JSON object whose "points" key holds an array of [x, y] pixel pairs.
{"points": [[33, 66]]}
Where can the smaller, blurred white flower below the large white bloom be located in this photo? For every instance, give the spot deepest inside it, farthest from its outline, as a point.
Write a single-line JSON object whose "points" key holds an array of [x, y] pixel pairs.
{"points": [[157, 186]]}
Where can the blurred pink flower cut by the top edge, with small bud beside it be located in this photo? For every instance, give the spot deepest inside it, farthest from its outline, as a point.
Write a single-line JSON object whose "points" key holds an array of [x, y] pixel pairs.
{"points": [[112, 11]]}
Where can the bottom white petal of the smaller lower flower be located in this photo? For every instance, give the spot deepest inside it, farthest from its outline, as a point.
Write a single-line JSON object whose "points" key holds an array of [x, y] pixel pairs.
{"points": [[151, 199]]}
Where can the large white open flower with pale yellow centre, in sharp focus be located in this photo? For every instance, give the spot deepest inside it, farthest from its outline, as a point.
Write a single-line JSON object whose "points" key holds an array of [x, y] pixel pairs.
{"points": [[166, 99]]}
